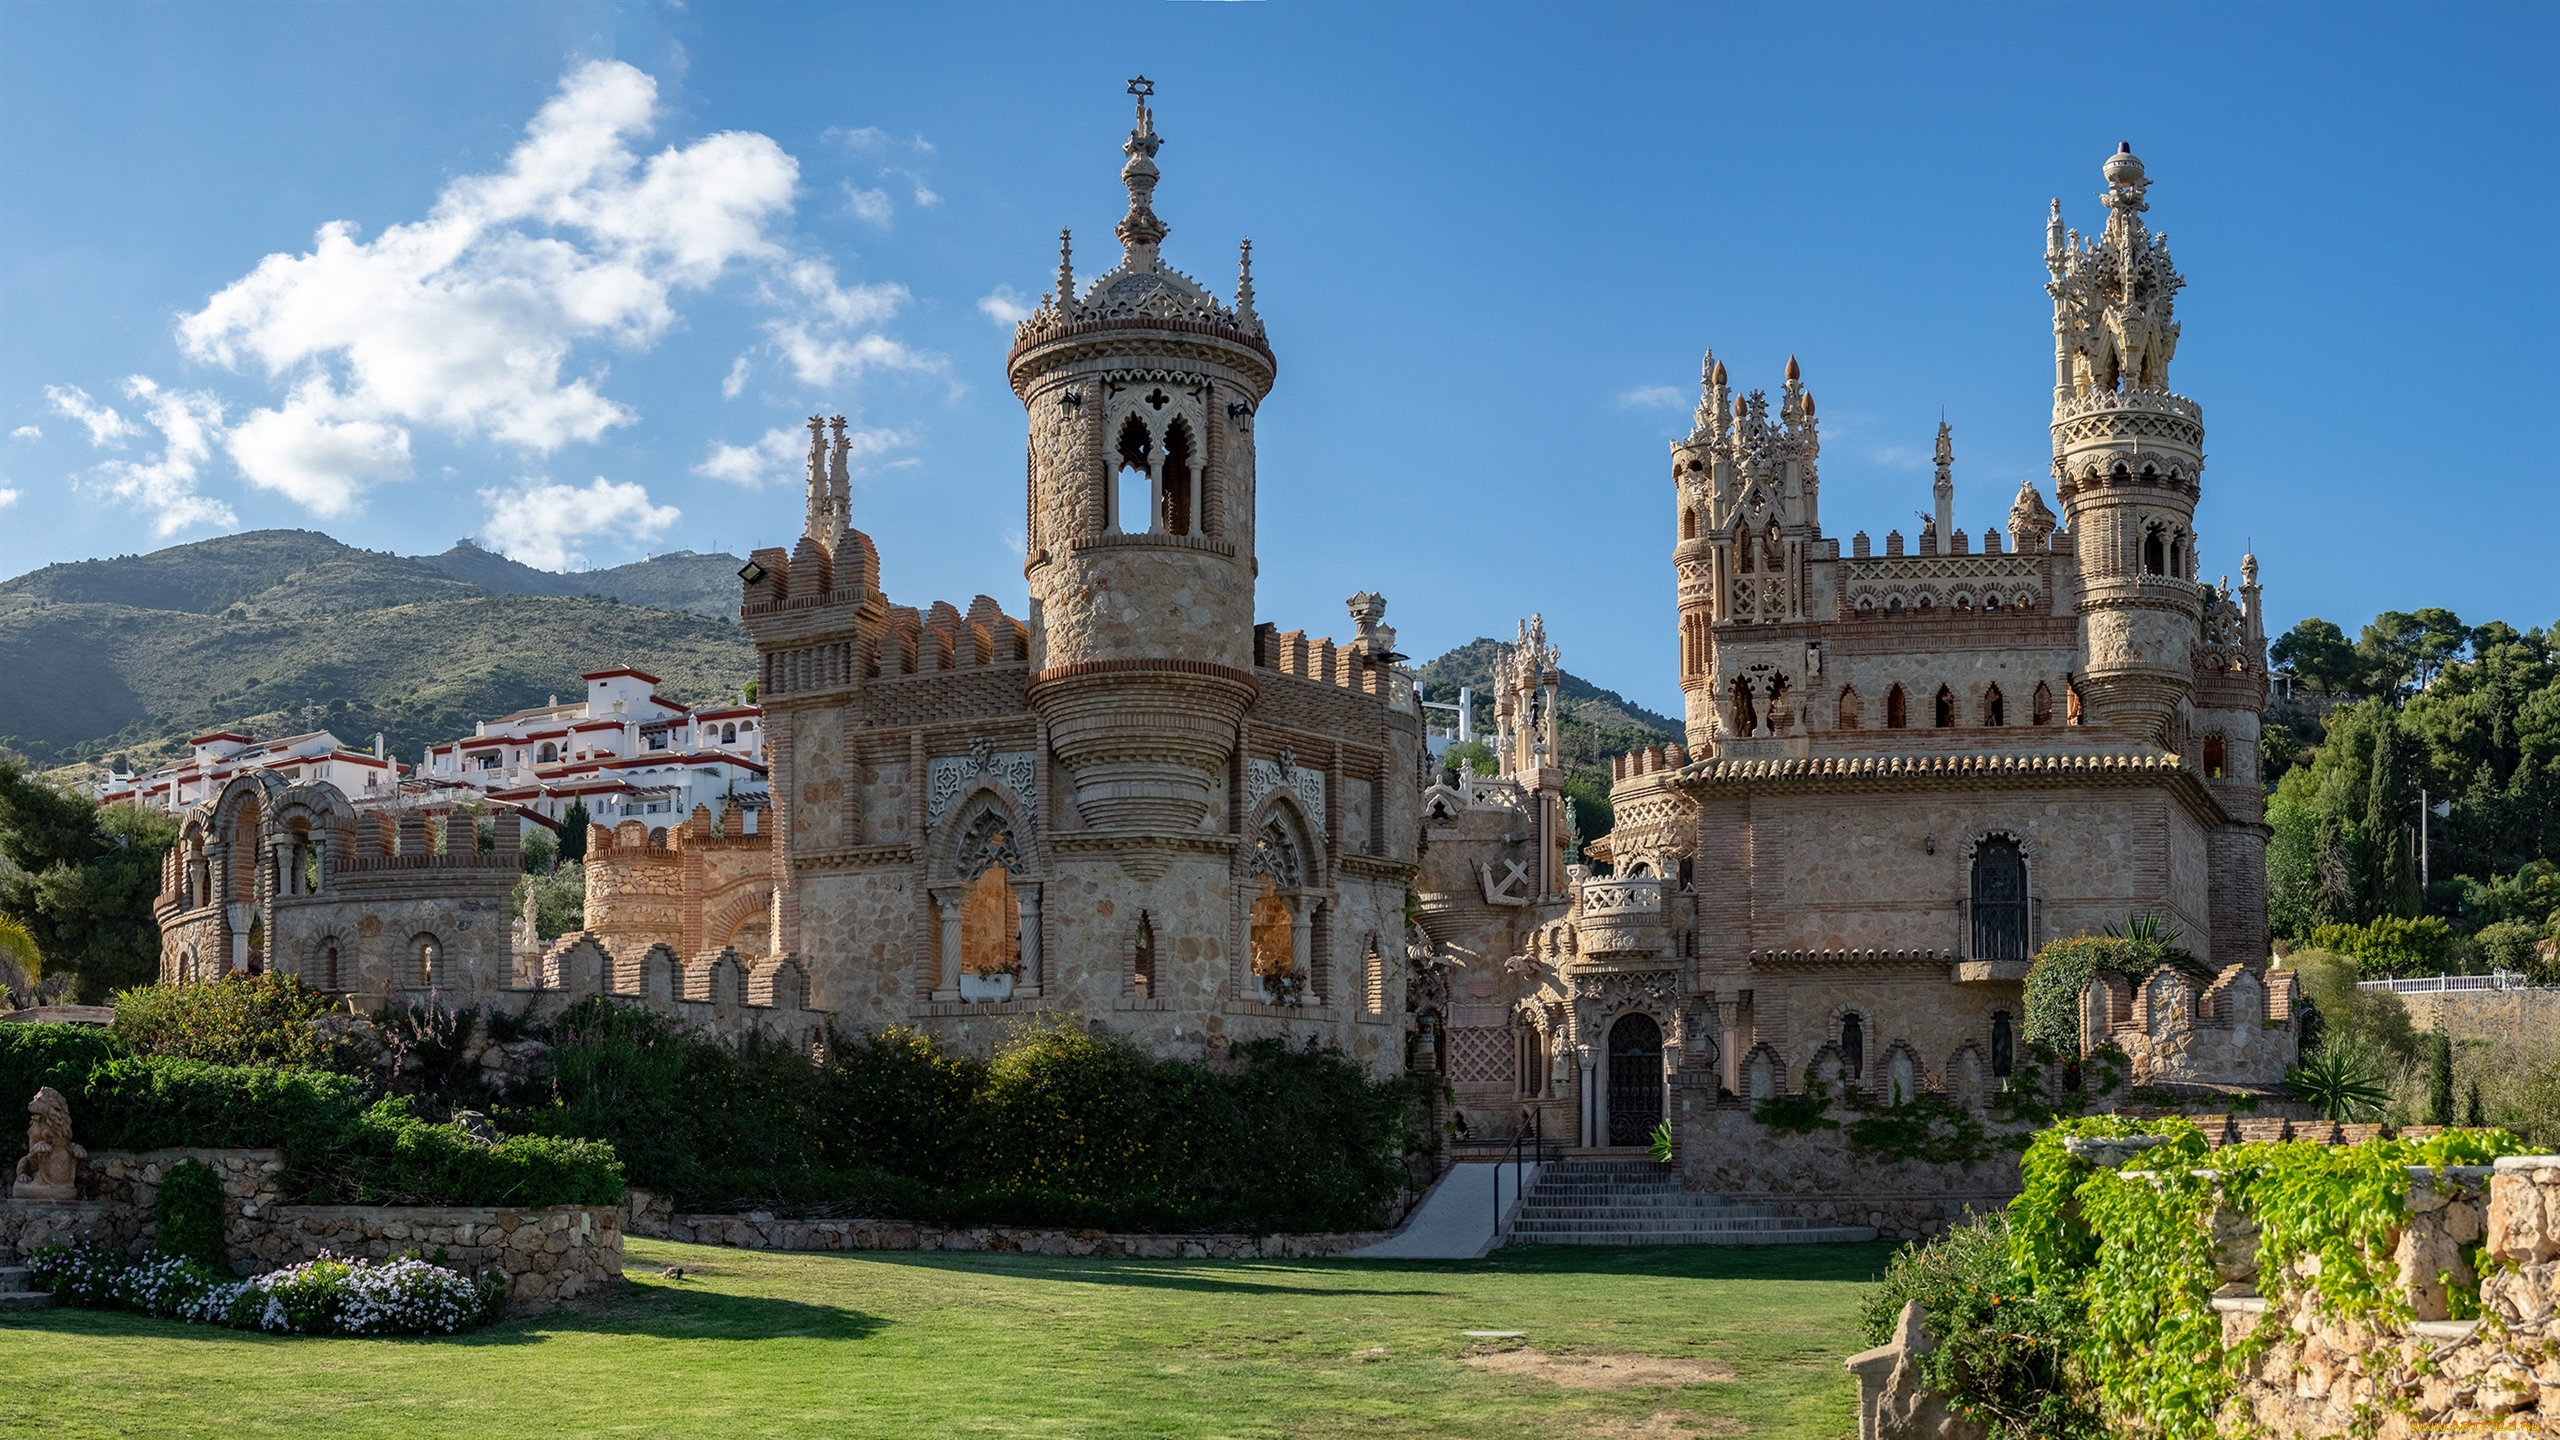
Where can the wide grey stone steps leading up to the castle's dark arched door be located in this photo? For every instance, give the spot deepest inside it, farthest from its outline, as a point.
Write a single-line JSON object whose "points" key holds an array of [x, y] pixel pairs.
{"points": [[1606, 1200]]}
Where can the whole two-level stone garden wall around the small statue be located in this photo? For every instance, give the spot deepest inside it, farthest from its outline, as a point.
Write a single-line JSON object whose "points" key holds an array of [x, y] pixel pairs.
{"points": [[549, 1257]]}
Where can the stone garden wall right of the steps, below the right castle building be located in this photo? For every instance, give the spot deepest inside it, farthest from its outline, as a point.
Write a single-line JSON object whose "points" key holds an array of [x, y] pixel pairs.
{"points": [[1824, 1177]]}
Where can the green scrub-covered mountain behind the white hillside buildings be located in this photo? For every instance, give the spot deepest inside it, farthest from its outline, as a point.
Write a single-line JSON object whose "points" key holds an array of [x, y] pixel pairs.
{"points": [[283, 632]]}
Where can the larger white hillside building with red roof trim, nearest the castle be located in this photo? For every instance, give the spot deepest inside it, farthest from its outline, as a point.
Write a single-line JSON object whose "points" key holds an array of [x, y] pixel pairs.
{"points": [[623, 752]]}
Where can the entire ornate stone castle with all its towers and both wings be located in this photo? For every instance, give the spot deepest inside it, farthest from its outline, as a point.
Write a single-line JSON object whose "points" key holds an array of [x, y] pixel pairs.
{"points": [[1903, 773]]}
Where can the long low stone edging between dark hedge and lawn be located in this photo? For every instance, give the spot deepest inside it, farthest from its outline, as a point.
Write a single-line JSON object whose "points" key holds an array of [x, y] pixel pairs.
{"points": [[759, 1231]]}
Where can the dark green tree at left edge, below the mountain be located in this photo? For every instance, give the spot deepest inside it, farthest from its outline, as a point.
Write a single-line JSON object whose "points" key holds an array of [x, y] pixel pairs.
{"points": [[83, 880]]}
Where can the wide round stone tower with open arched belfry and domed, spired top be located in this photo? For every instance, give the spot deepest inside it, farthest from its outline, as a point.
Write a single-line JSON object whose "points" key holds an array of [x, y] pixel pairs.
{"points": [[1140, 539]]}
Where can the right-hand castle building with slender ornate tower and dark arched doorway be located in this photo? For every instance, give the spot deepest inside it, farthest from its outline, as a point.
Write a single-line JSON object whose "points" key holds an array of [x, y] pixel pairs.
{"points": [[1903, 770]]}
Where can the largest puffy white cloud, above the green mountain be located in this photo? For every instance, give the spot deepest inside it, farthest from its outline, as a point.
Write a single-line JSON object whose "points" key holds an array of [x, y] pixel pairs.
{"points": [[467, 322]]}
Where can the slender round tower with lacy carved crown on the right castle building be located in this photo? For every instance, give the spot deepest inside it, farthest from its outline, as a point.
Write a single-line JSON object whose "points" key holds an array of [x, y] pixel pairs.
{"points": [[2126, 460]]}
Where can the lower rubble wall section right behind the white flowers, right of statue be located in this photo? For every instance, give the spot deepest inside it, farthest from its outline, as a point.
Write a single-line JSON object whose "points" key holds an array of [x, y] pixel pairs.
{"points": [[549, 1257]]}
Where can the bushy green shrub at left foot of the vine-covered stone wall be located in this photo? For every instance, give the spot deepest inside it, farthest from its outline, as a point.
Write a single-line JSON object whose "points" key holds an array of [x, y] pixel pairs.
{"points": [[2003, 1346]]}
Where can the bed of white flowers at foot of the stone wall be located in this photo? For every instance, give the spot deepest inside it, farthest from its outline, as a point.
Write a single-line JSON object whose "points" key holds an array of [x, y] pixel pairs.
{"points": [[326, 1295]]}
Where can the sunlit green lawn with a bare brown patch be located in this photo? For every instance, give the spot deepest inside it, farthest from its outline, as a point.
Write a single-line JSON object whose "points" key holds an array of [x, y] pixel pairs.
{"points": [[943, 1344]]}
